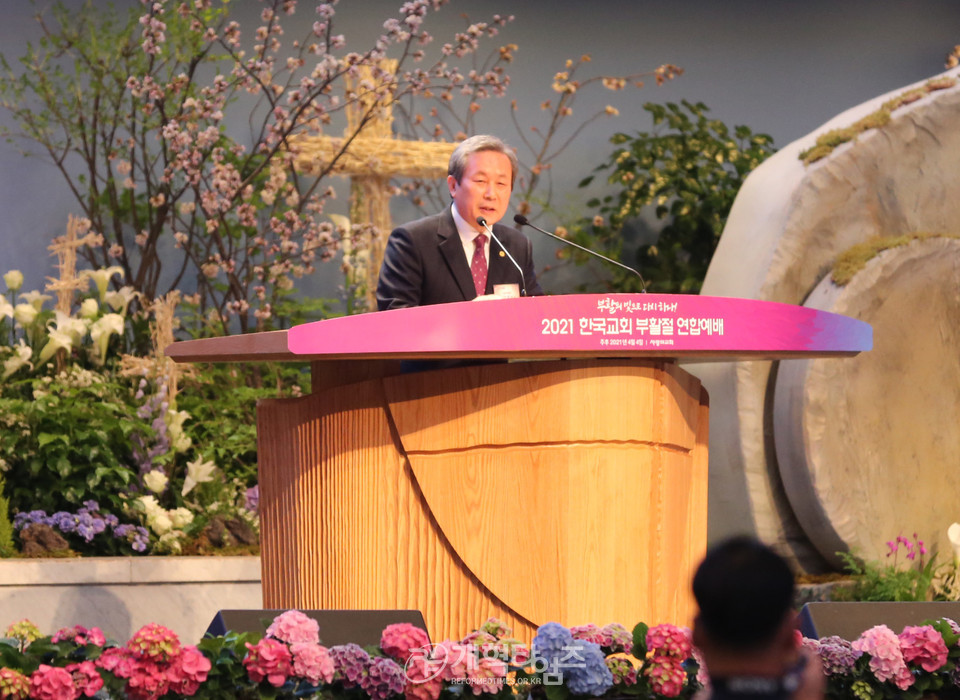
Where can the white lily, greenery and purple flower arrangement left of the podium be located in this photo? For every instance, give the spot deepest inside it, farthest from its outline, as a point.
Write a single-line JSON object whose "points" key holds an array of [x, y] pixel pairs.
{"points": [[96, 454]]}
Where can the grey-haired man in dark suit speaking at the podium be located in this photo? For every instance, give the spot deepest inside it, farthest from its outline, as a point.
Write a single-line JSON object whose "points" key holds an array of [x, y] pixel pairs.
{"points": [[449, 256]]}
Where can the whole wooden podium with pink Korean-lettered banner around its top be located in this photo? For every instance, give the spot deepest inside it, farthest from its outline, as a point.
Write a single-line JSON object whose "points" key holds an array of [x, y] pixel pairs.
{"points": [[569, 489]]}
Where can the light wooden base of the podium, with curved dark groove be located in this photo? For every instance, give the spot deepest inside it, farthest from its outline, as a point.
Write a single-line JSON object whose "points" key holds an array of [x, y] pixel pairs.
{"points": [[567, 491]]}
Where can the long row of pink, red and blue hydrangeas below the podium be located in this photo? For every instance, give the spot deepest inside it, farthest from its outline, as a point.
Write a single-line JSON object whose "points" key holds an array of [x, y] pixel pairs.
{"points": [[289, 661]]}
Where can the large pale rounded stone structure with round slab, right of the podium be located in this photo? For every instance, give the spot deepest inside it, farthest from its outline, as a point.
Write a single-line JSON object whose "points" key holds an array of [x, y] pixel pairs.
{"points": [[787, 227]]}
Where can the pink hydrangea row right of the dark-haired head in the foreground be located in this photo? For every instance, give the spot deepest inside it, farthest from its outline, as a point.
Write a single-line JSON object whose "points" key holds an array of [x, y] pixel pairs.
{"points": [[880, 663]]}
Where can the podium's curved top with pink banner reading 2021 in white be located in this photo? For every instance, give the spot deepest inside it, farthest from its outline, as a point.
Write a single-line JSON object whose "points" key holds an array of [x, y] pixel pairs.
{"points": [[671, 326]]}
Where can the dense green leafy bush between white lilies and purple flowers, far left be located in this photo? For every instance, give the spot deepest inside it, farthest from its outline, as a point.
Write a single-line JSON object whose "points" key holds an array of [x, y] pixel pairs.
{"points": [[67, 439]]}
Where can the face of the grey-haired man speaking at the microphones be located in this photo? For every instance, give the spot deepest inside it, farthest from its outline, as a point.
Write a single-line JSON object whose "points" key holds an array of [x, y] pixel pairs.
{"points": [[485, 187]]}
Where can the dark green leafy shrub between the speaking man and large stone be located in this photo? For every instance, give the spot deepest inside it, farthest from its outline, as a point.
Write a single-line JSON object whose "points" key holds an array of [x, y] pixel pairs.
{"points": [[690, 170]]}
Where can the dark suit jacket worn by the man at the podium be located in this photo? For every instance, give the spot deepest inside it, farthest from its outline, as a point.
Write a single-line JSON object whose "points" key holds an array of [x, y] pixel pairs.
{"points": [[424, 264]]}
